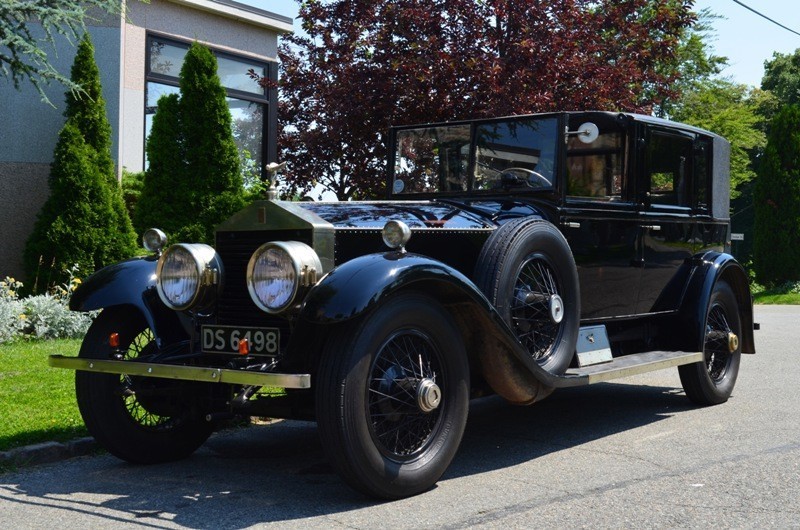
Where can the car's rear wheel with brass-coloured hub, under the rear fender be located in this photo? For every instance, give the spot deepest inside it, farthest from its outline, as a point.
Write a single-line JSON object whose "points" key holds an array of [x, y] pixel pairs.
{"points": [[711, 381]]}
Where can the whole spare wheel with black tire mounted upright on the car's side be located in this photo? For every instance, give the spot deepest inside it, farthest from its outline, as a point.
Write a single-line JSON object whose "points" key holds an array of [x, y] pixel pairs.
{"points": [[527, 271]]}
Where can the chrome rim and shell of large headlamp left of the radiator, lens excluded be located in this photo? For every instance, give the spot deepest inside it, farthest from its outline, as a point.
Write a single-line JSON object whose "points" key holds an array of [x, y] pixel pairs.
{"points": [[207, 267]]}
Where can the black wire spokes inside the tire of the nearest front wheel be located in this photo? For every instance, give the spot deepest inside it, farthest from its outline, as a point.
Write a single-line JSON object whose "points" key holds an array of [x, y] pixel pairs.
{"points": [[403, 366]]}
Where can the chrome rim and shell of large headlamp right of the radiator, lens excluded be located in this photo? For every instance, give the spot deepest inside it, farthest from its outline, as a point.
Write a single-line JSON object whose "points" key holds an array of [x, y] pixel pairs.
{"points": [[306, 266]]}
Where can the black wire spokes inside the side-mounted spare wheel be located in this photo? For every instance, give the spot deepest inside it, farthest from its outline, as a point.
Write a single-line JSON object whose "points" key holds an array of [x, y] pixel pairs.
{"points": [[534, 292]]}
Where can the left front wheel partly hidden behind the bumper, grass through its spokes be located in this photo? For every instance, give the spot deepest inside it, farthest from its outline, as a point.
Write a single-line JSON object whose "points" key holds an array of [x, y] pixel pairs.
{"points": [[140, 420]]}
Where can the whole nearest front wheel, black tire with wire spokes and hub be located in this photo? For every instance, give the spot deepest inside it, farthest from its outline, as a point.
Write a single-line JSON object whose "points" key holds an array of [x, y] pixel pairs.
{"points": [[392, 397]]}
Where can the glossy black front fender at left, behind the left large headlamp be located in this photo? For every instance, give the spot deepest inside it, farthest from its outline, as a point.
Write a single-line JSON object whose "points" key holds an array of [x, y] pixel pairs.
{"points": [[132, 283]]}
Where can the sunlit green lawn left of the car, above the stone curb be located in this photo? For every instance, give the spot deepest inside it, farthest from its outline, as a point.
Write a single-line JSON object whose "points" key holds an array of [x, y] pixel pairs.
{"points": [[37, 402]]}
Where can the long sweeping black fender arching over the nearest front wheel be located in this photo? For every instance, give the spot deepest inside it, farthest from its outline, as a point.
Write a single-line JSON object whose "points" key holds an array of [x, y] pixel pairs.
{"points": [[353, 289]]}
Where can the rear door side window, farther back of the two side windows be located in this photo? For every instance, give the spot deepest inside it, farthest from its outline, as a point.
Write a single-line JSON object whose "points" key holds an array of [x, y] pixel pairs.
{"points": [[668, 168]]}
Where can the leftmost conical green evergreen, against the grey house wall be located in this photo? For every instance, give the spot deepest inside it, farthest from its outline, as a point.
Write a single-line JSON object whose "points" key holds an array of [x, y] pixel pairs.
{"points": [[84, 220]]}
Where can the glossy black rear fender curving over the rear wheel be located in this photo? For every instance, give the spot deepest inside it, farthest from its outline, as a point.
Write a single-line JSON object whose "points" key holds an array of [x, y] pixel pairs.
{"points": [[707, 270]]}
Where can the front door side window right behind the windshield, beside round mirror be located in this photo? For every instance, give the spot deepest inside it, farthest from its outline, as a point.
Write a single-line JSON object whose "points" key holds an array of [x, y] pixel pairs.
{"points": [[596, 170]]}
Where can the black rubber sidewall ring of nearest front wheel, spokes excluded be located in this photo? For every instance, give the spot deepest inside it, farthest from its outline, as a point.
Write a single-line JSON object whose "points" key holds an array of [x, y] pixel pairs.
{"points": [[374, 472]]}
